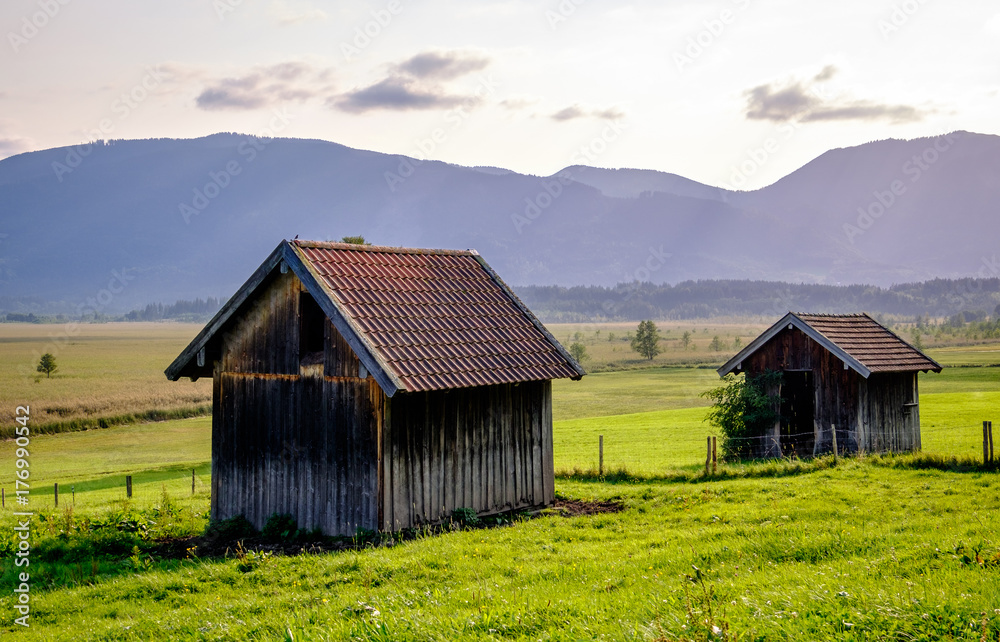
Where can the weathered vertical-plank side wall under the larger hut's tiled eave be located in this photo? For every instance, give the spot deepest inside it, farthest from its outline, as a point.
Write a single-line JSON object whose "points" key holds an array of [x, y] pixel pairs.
{"points": [[486, 448]]}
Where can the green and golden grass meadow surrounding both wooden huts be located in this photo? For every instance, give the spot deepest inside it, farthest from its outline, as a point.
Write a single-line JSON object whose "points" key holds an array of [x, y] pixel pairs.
{"points": [[875, 548]]}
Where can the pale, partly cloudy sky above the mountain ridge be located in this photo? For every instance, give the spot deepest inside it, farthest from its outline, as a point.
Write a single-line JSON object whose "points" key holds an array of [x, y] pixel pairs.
{"points": [[694, 88]]}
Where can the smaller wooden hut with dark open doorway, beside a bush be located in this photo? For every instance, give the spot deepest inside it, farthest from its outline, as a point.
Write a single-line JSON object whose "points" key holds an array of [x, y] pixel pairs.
{"points": [[846, 373]]}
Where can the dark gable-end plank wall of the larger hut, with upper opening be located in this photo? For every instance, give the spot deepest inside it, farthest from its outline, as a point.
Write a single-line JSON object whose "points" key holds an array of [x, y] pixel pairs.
{"points": [[292, 438]]}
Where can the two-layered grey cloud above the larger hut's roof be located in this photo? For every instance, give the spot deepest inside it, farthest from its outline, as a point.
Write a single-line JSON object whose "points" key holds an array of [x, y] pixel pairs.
{"points": [[415, 84]]}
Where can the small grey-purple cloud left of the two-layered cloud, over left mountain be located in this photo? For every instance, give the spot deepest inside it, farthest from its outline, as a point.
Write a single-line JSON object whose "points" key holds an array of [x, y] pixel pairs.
{"points": [[265, 86]]}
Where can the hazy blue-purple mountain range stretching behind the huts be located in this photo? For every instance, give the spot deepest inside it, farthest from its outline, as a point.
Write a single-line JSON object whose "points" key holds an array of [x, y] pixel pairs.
{"points": [[126, 223]]}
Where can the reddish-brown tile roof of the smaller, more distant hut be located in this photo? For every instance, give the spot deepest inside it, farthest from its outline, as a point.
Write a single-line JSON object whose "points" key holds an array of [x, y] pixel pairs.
{"points": [[869, 342]]}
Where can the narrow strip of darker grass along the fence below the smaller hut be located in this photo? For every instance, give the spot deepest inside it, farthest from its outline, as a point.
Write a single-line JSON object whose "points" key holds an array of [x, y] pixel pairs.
{"points": [[788, 467]]}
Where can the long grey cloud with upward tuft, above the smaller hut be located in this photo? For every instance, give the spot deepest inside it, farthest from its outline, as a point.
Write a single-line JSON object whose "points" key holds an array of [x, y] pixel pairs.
{"points": [[806, 102]]}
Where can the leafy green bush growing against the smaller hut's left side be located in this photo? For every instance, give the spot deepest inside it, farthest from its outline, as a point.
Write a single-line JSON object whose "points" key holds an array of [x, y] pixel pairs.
{"points": [[743, 411]]}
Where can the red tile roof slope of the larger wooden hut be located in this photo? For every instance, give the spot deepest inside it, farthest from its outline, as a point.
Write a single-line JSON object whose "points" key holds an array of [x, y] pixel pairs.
{"points": [[439, 319]]}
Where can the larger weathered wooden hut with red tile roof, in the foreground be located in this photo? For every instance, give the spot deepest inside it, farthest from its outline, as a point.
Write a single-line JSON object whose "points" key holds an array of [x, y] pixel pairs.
{"points": [[376, 388]]}
